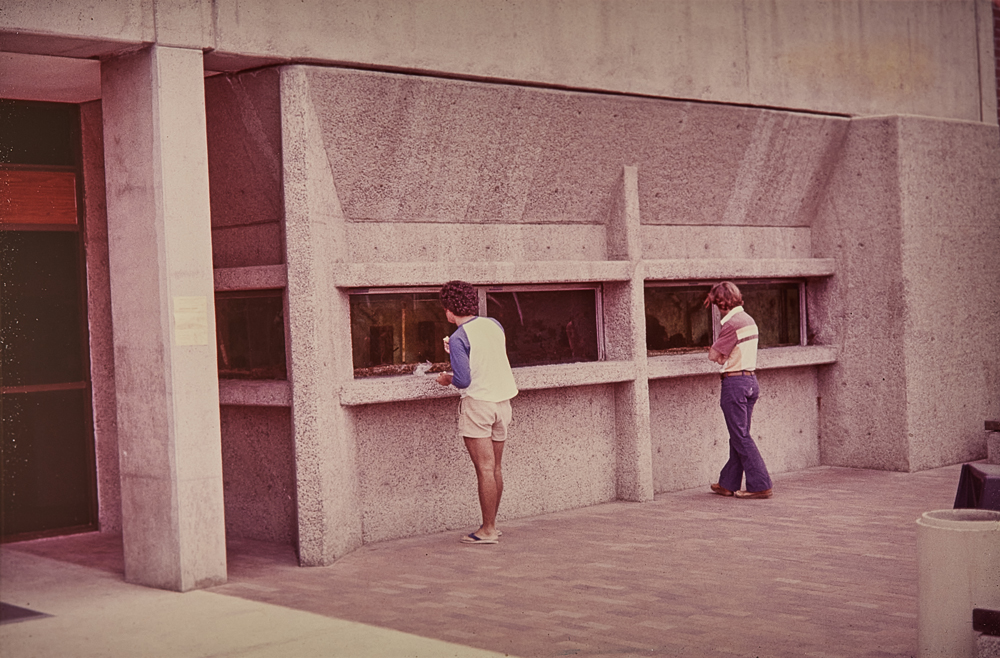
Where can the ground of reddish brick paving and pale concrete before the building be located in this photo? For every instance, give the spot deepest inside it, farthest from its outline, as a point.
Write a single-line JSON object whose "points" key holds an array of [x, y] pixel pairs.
{"points": [[826, 568]]}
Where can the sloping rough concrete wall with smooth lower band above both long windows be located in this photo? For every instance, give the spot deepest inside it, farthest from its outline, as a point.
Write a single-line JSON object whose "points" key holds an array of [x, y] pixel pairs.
{"points": [[440, 153]]}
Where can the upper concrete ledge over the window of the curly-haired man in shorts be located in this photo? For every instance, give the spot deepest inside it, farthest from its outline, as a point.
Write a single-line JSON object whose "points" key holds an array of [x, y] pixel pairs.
{"points": [[365, 275]]}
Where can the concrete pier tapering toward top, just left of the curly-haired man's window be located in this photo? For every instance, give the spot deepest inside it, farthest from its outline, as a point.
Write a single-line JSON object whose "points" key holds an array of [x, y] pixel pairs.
{"points": [[319, 335]]}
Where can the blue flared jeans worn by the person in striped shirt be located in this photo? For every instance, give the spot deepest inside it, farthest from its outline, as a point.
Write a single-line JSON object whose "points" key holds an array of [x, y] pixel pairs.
{"points": [[739, 394]]}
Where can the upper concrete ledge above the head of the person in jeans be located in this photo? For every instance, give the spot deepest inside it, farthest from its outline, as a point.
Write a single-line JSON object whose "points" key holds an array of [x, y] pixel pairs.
{"points": [[749, 268]]}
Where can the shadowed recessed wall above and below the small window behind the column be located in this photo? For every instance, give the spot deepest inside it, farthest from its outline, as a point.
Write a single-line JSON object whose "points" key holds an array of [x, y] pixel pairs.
{"points": [[243, 116]]}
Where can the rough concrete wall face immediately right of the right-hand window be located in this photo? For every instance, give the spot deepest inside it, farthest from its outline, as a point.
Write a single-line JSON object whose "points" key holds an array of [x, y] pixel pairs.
{"points": [[862, 308]]}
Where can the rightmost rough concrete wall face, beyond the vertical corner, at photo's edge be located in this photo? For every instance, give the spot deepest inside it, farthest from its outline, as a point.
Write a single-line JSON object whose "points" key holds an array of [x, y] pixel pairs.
{"points": [[949, 175]]}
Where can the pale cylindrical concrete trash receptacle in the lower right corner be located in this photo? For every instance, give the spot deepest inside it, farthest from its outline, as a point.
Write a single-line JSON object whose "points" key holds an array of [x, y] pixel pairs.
{"points": [[958, 566]]}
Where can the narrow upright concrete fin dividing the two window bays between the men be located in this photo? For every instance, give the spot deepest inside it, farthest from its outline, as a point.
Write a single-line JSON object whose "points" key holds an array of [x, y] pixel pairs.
{"points": [[625, 322]]}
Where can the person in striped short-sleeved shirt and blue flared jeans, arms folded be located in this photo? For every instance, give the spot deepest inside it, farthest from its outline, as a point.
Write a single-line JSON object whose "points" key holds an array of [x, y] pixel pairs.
{"points": [[736, 351]]}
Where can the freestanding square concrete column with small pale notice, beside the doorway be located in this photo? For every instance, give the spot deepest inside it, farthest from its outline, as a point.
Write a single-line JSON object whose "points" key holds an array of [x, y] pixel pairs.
{"points": [[160, 257]]}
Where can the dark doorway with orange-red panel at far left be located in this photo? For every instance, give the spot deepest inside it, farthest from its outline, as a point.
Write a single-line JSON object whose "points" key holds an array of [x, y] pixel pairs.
{"points": [[48, 471]]}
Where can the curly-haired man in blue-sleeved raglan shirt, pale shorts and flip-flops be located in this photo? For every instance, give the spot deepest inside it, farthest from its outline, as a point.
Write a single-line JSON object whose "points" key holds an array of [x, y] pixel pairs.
{"points": [[481, 371]]}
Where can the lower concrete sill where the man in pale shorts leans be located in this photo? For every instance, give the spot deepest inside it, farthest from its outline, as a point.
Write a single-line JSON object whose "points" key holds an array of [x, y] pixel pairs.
{"points": [[419, 387]]}
